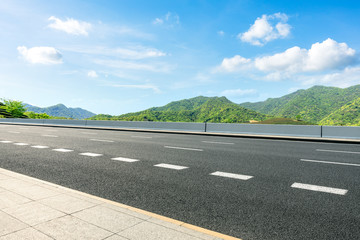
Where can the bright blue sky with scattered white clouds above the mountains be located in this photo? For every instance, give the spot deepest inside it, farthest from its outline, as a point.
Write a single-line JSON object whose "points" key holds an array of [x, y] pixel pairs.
{"points": [[115, 57]]}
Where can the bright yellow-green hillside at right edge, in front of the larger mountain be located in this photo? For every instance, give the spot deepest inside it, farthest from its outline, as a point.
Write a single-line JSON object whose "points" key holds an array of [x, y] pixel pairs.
{"points": [[347, 115]]}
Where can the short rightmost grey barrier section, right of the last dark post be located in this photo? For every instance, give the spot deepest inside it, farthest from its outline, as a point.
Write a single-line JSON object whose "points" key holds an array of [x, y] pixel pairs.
{"points": [[341, 132]]}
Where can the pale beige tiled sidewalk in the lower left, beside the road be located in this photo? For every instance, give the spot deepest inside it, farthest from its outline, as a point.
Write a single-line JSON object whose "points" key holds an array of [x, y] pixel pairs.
{"points": [[35, 209]]}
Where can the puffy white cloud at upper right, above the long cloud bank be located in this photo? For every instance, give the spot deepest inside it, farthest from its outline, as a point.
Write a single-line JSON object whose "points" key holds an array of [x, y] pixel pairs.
{"points": [[266, 29]]}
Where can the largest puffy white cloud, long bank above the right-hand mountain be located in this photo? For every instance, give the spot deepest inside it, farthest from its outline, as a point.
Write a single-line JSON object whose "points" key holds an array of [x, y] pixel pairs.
{"points": [[328, 55]]}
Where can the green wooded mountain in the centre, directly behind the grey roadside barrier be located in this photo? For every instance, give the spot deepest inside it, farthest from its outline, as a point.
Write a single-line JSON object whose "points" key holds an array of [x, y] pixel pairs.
{"points": [[198, 109]]}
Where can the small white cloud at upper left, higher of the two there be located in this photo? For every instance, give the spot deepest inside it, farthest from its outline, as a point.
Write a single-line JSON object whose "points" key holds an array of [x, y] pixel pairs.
{"points": [[70, 26]]}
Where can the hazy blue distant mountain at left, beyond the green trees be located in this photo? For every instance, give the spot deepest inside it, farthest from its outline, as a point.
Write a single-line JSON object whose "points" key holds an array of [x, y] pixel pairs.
{"points": [[61, 110]]}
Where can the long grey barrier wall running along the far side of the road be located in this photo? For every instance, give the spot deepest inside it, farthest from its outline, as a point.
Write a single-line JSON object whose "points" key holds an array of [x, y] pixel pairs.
{"points": [[254, 129]]}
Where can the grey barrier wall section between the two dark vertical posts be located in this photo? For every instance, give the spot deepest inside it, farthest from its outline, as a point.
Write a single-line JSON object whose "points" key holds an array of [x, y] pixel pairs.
{"points": [[263, 129]]}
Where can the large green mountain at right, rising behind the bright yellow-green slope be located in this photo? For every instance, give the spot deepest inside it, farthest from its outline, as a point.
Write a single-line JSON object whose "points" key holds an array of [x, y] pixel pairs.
{"points": [[311, 105]]}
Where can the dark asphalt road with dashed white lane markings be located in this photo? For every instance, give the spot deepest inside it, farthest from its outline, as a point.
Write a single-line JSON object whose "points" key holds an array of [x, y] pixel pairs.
{"points": [[267, 189]]}
